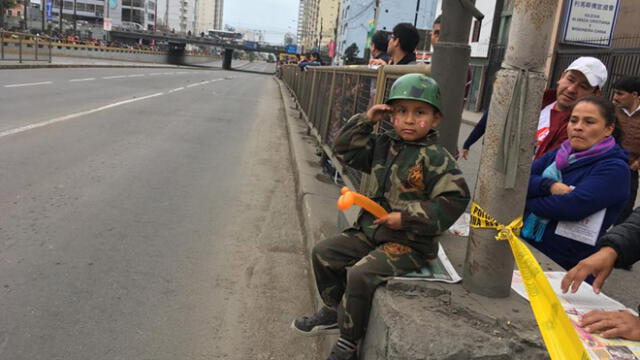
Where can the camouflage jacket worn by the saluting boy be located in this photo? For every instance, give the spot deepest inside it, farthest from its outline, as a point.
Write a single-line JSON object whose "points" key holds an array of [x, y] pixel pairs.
{"points": [[420, 179]]}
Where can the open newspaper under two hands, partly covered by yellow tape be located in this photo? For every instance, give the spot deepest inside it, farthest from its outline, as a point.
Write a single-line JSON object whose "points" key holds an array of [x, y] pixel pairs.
{"points": [[580, 303]]}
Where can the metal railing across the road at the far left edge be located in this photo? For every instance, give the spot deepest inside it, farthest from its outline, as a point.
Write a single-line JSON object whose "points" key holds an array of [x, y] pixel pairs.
{"points": [[28, 47]]}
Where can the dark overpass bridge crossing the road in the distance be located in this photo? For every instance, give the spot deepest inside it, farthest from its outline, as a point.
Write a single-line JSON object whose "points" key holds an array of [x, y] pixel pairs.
{"points": [[178, 42]]}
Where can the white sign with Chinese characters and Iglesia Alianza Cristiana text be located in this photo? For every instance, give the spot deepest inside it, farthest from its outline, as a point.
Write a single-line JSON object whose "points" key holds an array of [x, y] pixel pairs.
{"points": [[590, 23]]}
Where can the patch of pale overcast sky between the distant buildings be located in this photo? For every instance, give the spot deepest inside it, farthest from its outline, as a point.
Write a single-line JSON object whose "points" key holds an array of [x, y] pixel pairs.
{"points": [[275, 17]]}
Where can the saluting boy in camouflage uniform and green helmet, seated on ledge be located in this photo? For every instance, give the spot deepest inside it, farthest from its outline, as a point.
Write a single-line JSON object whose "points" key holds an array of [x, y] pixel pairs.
{"points": [[416, 180]]}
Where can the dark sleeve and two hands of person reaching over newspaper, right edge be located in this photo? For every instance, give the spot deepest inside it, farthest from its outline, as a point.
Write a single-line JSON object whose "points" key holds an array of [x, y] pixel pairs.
{"points": [[620, 248]]}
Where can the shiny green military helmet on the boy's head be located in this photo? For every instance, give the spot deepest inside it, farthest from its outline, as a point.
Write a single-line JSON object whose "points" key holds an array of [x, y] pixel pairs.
{"points": [[417, 87]]}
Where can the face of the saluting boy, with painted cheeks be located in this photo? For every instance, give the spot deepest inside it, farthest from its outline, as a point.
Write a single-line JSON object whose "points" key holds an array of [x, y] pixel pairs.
{"points": [[413, 119]]}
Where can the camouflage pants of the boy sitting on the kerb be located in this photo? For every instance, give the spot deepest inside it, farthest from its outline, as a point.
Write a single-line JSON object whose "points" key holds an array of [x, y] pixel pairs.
{"points": [[351, 290]]}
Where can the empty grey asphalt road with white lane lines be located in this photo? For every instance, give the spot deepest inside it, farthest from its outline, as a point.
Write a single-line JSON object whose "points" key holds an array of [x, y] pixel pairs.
{"points": [[147, 215]]}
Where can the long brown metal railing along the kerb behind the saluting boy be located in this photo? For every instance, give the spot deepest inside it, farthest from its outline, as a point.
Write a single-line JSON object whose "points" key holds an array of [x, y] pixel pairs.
{"points": [[329, 95]]}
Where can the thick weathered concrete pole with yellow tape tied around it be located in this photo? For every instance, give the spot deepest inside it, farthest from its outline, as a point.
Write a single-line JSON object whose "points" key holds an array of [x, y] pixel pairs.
{"points": [[505, 164]]}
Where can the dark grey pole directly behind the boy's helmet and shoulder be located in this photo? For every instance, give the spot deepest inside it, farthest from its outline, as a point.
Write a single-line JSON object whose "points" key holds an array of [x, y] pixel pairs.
{"points": [[449, 65]]}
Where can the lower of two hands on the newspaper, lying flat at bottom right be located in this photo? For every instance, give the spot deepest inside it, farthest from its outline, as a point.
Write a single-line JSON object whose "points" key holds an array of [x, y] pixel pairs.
{"points": [[612, 324]]}
